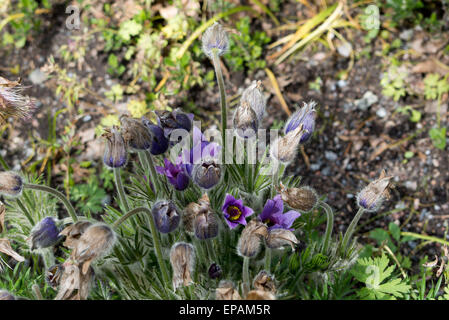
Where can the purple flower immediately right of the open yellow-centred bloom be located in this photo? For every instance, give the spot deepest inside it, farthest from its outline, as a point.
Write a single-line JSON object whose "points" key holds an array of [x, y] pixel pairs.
{"points": [[272, 214]]}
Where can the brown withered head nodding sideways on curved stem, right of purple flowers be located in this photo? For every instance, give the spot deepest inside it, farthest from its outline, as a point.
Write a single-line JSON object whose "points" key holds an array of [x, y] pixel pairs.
{"points": [[303, 198]]}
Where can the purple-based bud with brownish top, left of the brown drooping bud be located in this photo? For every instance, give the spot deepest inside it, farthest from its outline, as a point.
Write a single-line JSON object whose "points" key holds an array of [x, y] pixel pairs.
{"points": [[115, 154]]}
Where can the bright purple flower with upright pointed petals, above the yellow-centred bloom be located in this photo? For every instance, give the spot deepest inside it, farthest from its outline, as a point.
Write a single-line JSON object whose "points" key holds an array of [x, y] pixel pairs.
{"points": [[202, 149]]}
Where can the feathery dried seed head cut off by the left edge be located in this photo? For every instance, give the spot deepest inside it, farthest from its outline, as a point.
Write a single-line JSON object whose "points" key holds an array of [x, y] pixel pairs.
{"points": [[13, 103]]}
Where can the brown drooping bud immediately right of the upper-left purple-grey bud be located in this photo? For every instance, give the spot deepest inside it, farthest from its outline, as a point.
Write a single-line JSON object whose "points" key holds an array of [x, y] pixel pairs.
{"points": [[135, 133]]}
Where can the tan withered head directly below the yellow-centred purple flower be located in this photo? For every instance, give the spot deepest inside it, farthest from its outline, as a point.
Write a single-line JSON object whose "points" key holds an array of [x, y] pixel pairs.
{"points": [[251, 238]]}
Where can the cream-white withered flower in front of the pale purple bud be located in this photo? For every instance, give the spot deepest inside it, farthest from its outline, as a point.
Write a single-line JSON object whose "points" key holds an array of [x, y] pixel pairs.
{"points": [[284, 149]]}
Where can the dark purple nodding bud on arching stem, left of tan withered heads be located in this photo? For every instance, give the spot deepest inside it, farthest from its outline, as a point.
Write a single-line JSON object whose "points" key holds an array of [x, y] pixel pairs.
{"points": [[166, 216]]}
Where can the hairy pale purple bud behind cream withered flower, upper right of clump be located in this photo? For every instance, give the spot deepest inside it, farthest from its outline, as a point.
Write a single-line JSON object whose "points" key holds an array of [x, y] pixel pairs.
{"points": [[305, 116]]}
